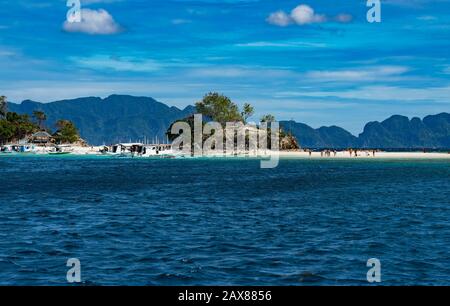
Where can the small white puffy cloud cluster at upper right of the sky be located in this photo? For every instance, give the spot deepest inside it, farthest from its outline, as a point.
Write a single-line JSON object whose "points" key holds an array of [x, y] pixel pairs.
{"points": [[303, 15]]}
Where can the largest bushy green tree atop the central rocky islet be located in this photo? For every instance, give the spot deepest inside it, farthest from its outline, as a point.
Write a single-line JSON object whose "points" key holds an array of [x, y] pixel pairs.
{"points": [[219, 108]]}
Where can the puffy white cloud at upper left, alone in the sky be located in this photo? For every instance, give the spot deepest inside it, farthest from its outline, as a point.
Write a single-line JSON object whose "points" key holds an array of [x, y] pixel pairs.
{"points": [[94, 22]]}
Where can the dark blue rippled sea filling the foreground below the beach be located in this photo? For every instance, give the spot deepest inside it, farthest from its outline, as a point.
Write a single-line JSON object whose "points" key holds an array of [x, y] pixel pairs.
{"points": [[223, 222]]}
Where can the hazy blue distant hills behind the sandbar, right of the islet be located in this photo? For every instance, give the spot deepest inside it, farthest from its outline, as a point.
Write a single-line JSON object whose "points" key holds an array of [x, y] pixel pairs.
{"points": [[398, 132]]}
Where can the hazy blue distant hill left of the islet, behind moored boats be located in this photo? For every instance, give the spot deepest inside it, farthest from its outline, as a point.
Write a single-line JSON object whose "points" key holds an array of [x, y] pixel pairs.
{"points": [[117, 118]]}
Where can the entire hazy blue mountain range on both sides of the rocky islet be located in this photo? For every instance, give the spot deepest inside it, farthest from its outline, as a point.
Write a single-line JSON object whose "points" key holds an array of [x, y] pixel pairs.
{"points": [[120, 118]]}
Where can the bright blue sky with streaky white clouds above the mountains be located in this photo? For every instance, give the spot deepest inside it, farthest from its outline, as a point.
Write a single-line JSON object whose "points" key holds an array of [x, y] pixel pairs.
{"points": [[317, 62]]}
